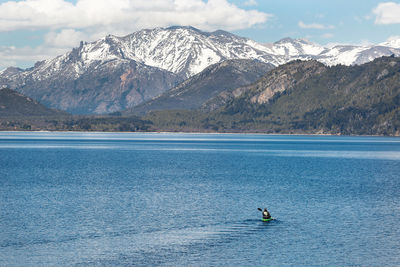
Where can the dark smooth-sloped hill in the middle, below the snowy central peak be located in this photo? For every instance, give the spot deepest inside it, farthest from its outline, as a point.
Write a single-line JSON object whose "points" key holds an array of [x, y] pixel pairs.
{"points": [[215, 79]]}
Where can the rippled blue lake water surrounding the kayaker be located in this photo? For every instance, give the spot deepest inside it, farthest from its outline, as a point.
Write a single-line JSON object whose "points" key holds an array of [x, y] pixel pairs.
{"points": [[113, 199]]}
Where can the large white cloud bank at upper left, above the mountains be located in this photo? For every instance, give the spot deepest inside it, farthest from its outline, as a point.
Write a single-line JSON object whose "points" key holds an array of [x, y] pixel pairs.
{"points": [[88, 20]]}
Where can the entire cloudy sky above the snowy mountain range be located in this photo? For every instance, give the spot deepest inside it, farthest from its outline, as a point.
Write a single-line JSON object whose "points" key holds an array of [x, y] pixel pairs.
{"points": [[34, 30]]}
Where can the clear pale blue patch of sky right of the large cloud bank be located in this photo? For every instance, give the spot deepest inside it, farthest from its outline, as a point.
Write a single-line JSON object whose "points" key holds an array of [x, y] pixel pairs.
{"points": [[351, 21]]}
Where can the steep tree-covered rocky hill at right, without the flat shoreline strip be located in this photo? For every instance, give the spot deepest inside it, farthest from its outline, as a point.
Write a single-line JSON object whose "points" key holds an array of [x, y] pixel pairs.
{"points": [[361, 99]]}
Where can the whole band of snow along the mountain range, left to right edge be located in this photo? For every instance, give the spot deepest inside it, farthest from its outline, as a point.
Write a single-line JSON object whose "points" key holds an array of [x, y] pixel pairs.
{"points": [[187, 51]]}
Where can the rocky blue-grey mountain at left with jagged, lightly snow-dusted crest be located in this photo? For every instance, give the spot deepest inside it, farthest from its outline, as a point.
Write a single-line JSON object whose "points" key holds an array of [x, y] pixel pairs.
{"points": [[70, 84]]}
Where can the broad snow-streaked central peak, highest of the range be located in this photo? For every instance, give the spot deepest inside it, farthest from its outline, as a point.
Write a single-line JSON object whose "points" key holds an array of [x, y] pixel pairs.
{"points": [[193, 49]]}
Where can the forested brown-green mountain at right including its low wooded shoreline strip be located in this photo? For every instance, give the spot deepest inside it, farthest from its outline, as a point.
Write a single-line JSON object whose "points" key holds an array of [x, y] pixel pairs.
{"points": [[305, 97]]}
